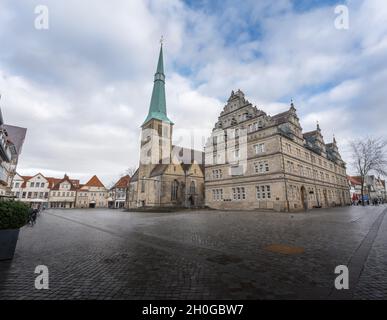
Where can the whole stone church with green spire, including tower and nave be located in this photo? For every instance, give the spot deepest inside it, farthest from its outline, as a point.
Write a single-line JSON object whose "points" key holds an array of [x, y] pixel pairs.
{"points": [[167, 175]]}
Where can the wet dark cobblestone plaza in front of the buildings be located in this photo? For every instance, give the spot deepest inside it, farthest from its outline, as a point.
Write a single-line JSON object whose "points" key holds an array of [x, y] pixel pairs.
{"points": [[109, 254]]}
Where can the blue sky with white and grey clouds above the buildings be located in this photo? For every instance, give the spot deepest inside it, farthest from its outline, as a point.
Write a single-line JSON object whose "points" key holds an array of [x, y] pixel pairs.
{"points": [[83, 87]]}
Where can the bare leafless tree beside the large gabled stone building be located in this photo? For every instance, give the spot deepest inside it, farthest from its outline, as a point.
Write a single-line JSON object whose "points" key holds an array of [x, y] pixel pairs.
{"points": [[369, 156]]}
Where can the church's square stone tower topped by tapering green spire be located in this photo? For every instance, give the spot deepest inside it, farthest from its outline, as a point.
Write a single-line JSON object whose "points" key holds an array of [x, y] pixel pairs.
{"points": [[156, 133]]}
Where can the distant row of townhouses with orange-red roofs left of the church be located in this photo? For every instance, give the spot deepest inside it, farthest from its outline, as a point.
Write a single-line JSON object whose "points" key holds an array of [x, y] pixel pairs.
{"points": [[49, 192]]}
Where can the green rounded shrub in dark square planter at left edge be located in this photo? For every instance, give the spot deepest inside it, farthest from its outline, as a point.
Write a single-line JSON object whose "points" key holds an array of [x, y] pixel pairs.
{"points": [[13, 215]]}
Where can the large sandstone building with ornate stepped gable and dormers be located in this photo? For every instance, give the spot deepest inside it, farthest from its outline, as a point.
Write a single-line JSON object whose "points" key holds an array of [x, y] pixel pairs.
{"points": [[257, 161]]}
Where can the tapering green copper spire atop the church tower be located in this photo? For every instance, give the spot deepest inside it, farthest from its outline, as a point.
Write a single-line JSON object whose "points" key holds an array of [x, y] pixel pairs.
{"points": [[158, 106]]}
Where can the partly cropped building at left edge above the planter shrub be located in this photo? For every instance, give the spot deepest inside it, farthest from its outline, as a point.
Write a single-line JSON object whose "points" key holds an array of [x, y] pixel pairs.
{"points": [[11, 142]]}
